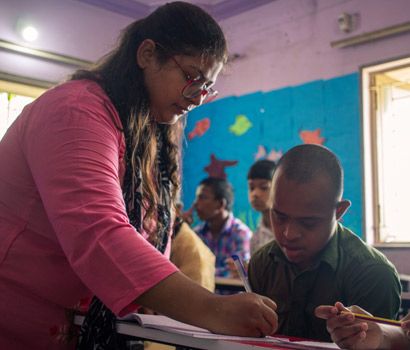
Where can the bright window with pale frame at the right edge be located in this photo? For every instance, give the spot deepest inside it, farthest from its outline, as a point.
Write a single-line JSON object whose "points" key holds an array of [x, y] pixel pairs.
{"points": [[386, 146]]}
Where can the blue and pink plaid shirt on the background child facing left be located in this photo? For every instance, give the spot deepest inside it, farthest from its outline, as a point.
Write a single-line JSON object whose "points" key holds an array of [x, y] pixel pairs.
{"points": [[234, 238]]}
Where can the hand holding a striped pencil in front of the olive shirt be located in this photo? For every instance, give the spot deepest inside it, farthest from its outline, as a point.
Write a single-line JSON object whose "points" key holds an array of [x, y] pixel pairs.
{"points": [[346, 331]]}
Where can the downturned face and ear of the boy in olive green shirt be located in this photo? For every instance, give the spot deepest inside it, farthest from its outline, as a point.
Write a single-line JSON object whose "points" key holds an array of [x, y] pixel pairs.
{"points": [[303, 217]]}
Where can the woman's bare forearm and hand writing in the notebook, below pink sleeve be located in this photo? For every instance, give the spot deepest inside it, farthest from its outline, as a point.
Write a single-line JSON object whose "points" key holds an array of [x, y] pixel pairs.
{"points": [[244, 314]]}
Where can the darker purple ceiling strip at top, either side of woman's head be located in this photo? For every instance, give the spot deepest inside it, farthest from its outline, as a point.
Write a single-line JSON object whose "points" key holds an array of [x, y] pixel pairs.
{"points": [[220, 9]]}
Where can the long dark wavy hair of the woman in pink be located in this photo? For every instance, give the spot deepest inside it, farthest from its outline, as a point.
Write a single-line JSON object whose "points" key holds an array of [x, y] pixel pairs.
{"points": [[183, 29]]}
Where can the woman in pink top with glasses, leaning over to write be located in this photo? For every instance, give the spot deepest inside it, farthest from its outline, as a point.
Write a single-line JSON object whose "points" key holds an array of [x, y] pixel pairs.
{"points": [[74, 164]]}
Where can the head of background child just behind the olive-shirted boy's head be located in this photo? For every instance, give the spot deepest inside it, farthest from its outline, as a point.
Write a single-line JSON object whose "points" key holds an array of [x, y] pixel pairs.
{"points": [[259, 182]]}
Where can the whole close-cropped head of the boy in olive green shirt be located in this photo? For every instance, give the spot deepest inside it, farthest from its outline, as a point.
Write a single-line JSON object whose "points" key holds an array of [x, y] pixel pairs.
{"points": [[306, 201]]}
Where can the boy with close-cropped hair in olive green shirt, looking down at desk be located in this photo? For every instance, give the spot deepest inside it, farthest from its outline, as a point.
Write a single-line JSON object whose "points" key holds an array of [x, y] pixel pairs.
{"points": [[314, 260]]}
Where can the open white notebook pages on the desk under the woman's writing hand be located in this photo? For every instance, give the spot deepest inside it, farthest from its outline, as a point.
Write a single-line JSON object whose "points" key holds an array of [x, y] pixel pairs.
{"points": [[168, 324]]}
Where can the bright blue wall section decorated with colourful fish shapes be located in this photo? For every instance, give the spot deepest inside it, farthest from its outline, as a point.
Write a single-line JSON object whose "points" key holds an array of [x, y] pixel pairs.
{"points": [[277, 118]]}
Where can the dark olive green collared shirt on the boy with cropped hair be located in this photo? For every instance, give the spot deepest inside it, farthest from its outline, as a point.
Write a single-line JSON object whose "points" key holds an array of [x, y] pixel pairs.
{"points": [[347, 270]]}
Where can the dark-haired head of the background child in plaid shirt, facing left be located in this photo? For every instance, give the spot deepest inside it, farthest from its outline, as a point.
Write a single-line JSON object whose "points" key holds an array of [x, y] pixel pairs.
{"points": [[213, 196]]}
